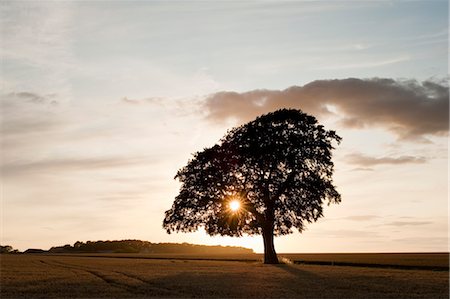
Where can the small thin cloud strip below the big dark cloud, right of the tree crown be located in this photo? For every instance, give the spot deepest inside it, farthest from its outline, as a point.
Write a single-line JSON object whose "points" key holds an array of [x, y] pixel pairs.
{"points": [[367, 161]]}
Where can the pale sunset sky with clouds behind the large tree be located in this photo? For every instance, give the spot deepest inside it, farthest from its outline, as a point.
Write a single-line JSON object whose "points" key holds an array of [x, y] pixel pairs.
{"points": [[103, 101]]}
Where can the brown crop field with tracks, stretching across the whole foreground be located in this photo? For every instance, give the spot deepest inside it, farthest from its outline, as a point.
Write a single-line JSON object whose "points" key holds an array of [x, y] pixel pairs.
{"points": [[131, 276]]}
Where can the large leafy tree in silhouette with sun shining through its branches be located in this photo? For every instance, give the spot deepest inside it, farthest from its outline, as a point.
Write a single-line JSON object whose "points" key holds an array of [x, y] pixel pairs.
{"points": [[277, 168]]}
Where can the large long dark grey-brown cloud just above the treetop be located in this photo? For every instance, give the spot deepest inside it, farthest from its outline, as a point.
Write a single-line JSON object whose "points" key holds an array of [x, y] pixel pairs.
{"points": [[408, 108]]}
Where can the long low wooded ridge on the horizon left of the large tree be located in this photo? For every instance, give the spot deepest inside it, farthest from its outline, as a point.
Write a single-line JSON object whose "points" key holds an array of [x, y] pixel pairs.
{"points": [[138, 246]]}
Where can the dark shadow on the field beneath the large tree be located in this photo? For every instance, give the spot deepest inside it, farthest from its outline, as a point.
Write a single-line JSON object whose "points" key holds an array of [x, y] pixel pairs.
{"points": [[261, 281]]}
